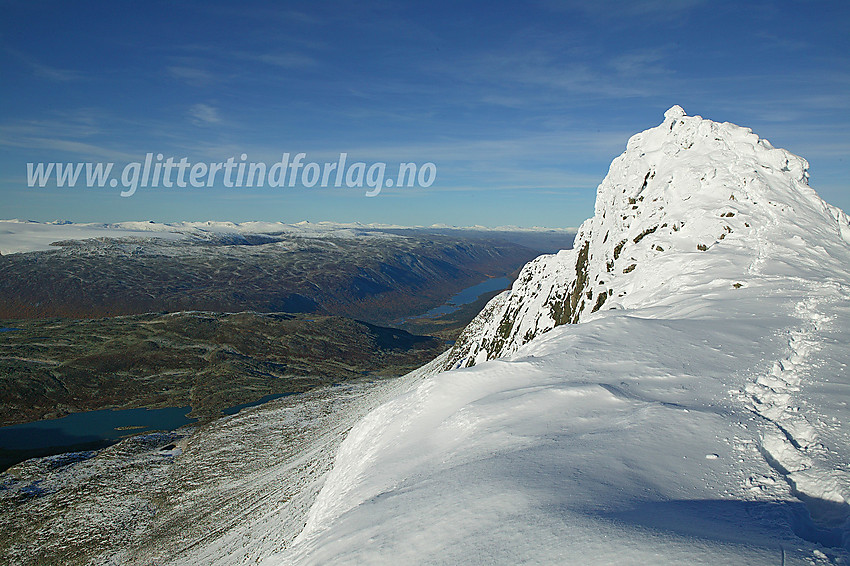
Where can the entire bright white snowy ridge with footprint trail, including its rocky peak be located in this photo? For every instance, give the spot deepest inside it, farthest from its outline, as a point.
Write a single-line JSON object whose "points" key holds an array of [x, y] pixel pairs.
{"points": [[698, 414]]}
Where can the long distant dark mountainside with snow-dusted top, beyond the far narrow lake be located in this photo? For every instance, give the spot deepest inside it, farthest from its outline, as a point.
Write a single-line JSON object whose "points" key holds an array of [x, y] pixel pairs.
{"points": [[373, 276]]}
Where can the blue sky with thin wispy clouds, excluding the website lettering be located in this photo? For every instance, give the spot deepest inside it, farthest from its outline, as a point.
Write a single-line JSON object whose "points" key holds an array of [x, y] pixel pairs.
{"points": [[521, 106]]}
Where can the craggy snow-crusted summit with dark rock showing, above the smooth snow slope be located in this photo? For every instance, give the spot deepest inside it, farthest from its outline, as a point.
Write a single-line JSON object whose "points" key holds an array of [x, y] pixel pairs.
{"points": [[687, 198]]}
